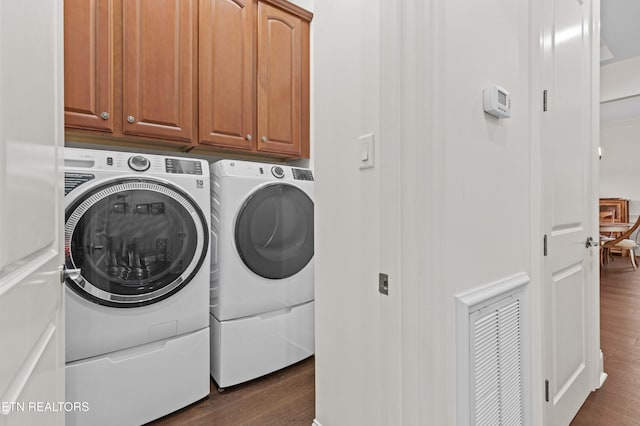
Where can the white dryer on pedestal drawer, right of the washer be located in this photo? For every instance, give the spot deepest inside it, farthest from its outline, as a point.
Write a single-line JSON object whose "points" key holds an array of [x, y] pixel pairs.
{"points": [[262, 310]]}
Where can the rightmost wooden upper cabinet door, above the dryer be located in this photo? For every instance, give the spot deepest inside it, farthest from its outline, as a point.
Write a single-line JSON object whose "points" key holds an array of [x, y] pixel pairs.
{"points": [[279, 81]]}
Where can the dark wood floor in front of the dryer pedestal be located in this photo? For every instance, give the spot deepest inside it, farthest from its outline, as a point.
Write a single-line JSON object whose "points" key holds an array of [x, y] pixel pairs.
{"points": [[286, 397]]}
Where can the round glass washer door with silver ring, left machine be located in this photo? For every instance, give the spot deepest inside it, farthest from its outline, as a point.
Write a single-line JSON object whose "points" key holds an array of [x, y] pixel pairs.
{"points": [[136, 241]]}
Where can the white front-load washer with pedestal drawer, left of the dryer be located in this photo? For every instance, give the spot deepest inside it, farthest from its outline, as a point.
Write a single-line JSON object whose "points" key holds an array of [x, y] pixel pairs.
{"points": [[137, 335]]}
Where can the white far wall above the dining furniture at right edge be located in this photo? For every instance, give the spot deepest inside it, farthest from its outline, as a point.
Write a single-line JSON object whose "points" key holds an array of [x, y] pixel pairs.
{"points": [[620, 163]]}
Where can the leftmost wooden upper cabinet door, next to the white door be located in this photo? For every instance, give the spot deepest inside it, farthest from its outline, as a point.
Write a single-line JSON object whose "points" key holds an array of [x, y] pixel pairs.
{"points": [[88, 64]]}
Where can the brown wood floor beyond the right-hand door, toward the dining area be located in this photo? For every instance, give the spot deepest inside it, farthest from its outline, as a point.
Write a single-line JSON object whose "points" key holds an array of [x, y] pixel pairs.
{"points": [[617, 403]]}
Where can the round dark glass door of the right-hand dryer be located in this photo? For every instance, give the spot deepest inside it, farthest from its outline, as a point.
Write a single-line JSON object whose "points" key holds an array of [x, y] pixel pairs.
{"points": [[274, 231]]}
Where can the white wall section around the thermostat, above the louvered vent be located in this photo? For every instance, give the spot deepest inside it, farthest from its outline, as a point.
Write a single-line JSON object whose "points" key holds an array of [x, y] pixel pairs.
{"points": [[483, 213]]}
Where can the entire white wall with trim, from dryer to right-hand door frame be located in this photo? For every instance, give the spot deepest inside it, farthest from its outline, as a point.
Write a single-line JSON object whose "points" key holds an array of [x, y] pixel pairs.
{"points": [[460, 215]]}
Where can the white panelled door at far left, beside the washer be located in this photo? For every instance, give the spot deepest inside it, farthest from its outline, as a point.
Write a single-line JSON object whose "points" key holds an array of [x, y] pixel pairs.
{"points": [[31, 139]]}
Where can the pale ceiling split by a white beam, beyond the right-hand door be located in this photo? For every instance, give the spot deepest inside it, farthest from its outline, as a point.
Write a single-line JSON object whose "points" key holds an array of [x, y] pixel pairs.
{"points": [[619, 40]]}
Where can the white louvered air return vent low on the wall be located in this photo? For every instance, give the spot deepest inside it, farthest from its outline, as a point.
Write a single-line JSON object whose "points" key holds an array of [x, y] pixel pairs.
{"points": [[491, 359]]}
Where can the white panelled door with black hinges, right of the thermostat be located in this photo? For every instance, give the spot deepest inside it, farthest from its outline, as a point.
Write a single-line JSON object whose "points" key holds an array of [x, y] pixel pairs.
{"points": [[570, 284]]}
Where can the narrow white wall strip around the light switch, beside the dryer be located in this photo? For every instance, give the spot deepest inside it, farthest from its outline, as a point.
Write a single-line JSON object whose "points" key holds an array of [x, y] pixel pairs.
{"points": [[346, 79]]}
